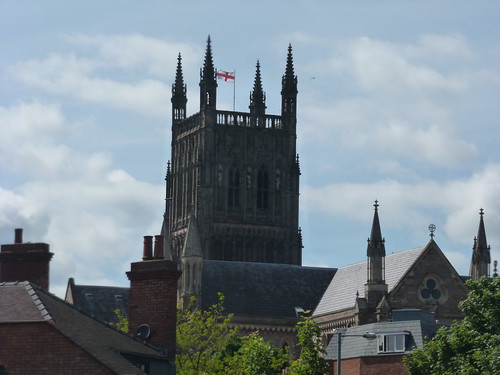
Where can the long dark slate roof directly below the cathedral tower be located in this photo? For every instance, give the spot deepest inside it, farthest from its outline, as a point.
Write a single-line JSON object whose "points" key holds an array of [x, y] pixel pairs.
{"points": [[263, 289]]}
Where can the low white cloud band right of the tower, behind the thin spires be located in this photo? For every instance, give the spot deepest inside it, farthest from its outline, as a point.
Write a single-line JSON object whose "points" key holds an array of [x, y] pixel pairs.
{"points": [[455, 202]]}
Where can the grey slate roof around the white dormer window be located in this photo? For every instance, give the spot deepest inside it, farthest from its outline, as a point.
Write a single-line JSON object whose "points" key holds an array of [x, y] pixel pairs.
{"points": [[354, 347]]}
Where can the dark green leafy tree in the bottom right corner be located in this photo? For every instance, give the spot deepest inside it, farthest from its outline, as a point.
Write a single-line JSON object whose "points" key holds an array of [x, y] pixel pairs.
{"points": [[468, 347]]}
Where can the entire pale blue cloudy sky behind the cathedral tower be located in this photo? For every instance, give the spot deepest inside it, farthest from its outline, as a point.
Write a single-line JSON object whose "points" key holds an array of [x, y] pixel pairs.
{"points": [[398, 101]]}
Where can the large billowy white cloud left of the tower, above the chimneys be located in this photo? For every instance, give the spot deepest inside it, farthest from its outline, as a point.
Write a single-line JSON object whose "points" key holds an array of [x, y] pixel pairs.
{"points": [[91, 213]]}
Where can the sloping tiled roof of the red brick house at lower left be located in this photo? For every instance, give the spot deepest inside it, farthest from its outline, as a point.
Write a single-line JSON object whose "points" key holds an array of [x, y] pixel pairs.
{"points": [[24, 302]]}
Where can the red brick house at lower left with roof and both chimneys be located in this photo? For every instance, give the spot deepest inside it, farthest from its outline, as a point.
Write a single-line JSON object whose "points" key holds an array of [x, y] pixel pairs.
{"points": [[43, 334]]}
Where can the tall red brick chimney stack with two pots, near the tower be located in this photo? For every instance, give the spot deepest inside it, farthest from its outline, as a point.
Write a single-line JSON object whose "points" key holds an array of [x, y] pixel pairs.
{"points": [[153, 296]]}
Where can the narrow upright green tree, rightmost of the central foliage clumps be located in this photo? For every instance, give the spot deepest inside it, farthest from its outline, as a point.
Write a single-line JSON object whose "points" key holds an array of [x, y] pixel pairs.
{"points": [[310, 361]]}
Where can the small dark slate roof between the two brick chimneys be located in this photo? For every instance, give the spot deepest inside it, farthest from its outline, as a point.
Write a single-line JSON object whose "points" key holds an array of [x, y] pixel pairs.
{"points": [[99, 302]]}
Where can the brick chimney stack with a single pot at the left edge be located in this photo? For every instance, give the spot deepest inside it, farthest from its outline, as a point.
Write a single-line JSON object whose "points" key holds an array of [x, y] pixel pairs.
{"points": [[25, 261]]}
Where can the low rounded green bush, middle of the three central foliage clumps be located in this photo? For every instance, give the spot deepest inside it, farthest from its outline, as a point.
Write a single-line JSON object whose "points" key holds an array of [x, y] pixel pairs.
{"points": [[258, 357]]}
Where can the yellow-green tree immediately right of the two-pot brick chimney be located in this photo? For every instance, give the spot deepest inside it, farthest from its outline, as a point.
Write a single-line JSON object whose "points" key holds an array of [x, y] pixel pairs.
{"points": [[202, 339]]}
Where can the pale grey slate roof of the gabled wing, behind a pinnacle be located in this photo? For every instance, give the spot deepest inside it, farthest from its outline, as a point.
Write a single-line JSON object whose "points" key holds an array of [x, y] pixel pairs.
{"points": [[341, 293]]}
